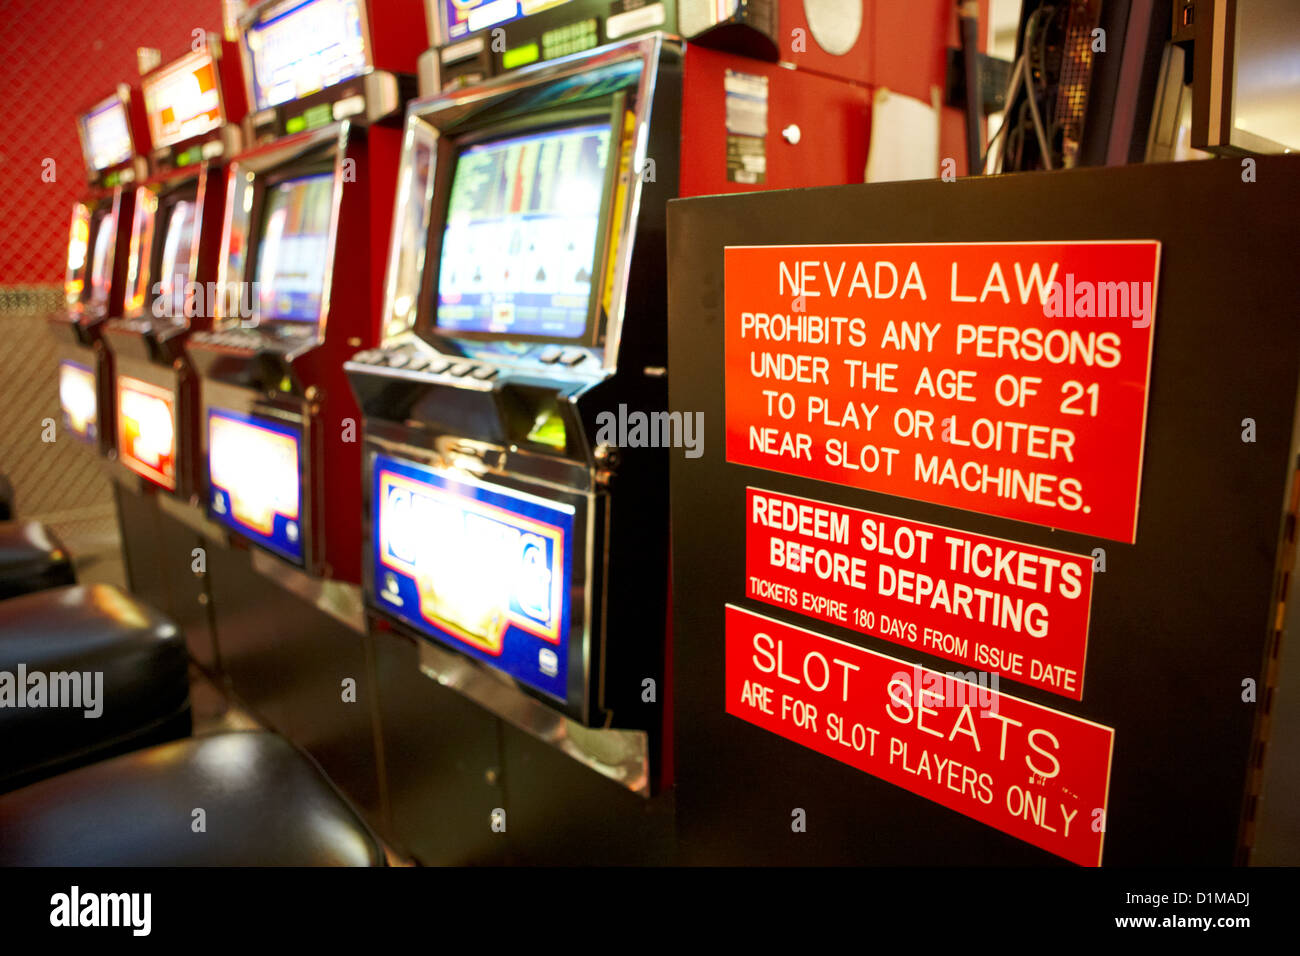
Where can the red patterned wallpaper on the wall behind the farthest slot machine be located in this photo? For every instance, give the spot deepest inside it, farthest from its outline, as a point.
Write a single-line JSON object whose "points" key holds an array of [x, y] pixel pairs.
{"points": [[58, 58]]}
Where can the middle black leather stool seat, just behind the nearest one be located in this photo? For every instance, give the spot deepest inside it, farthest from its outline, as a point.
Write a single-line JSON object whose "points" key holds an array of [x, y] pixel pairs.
{"points": [[89, 650]]}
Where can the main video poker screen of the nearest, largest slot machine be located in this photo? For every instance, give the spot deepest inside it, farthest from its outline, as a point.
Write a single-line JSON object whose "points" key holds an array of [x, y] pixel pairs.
{"points": [[519, 245]]}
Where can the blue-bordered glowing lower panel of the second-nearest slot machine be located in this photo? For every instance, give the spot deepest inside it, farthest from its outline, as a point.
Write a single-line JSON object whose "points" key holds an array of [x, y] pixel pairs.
{"points": [[257, 482]]}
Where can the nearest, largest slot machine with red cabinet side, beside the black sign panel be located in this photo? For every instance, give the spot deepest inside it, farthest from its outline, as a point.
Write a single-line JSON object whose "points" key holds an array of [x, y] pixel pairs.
{"points": [[517, 413]]}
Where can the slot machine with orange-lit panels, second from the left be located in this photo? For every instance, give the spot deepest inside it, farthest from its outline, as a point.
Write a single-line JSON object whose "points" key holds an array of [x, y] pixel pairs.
{"points": [[193, 107]]}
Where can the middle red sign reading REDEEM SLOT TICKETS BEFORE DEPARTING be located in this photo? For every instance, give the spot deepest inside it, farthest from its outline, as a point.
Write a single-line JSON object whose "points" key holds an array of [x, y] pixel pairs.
{"points": [[996, 605]]}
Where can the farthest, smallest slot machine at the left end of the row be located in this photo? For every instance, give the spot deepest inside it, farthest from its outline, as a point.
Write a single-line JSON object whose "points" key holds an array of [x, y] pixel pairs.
{"points": [[112, 140]]}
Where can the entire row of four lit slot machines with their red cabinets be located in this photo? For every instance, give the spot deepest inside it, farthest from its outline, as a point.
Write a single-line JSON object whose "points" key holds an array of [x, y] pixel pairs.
{"points": [[374, 304]]}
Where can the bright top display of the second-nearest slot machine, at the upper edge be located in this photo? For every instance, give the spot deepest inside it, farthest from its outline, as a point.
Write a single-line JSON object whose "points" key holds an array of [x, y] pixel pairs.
{"points": [[306, 49]]}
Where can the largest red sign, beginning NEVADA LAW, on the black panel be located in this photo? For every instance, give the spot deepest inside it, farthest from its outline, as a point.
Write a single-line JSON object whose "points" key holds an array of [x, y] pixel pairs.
{"points": [[1002, 378]]}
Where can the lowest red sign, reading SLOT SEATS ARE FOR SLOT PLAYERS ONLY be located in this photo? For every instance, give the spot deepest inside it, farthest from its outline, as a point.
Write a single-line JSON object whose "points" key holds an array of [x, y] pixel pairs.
{"points": [[1028, 771]]}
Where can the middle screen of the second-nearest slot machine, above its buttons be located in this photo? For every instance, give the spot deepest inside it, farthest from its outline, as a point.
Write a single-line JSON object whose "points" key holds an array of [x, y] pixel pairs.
{"points": [[293, 250]]}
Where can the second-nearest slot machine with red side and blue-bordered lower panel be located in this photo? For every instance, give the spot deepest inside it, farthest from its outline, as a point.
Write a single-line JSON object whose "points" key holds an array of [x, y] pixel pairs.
{"points": [[306, 200]]}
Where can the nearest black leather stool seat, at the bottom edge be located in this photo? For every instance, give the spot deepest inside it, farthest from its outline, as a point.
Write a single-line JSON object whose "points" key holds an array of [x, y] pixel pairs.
{"points": [[263, 803]]}
